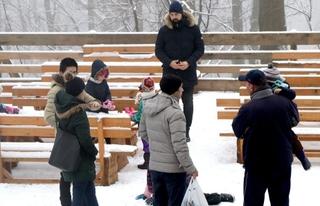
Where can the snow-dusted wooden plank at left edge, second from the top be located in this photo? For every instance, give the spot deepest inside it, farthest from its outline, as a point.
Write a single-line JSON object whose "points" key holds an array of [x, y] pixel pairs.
{"points": [[48, 55]]}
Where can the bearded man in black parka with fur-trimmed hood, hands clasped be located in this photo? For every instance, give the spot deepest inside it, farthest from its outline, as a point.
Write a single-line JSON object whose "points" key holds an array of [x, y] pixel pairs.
{"points": [[179, 46]]}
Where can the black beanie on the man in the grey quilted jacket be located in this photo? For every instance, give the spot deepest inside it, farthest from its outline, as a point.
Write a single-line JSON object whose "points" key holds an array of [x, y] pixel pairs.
{"points": [[170, 83]]}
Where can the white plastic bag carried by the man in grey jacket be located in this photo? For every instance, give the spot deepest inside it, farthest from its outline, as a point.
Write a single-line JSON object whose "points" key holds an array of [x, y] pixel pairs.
{"points": [[194, 195]]}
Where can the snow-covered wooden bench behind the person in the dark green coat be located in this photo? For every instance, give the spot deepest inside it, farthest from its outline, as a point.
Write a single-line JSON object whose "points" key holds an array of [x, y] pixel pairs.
{"points": [[117, 128]]}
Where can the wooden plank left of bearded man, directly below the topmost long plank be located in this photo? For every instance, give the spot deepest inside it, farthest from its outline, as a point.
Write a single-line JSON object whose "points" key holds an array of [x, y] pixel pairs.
{"points": [[121, 48]]}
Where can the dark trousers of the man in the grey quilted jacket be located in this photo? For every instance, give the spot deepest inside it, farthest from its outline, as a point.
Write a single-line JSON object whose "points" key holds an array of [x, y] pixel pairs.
{"points": [[168, 188]]}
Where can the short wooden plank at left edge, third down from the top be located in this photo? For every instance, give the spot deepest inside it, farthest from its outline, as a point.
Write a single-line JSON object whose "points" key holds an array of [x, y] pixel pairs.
{"points": [[20, 68]]}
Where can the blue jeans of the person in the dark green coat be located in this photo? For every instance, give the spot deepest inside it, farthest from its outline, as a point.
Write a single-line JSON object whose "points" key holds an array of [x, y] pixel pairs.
{"points": [[84, 193]]}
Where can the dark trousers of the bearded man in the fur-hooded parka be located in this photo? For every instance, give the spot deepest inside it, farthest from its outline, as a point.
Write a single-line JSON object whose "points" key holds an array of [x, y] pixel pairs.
{"points": [[187, 100]]}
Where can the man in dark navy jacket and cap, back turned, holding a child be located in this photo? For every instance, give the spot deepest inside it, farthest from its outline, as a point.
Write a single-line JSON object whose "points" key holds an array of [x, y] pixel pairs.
{"points": [[265, 123]]}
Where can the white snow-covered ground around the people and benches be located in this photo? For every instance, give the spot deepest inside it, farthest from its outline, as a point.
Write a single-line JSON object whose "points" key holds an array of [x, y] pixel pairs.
{"points": [[214, 157]]}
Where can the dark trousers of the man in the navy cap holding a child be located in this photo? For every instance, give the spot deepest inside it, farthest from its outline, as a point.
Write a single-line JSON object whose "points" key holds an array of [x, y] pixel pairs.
{"points": [[277, 183]]}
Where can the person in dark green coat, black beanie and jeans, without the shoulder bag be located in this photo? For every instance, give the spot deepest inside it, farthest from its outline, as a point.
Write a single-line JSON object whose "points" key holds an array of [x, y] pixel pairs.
{"points": [[71, 117]]}
